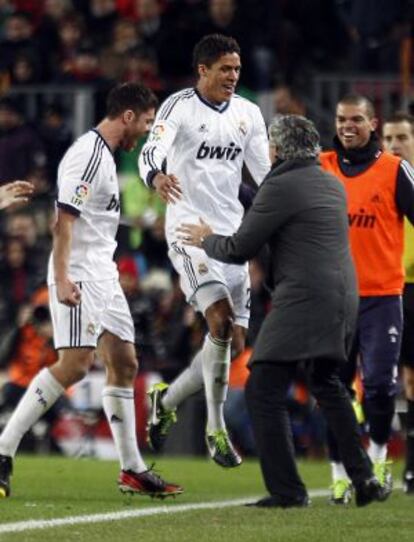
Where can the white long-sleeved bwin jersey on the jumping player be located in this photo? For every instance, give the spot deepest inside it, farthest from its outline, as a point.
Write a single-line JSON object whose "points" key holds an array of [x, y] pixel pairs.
{"points": [[205, 147]]}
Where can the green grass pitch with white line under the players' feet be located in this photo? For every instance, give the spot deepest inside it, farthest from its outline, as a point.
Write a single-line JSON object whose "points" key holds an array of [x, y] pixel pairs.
{"points": [[48, 488]]}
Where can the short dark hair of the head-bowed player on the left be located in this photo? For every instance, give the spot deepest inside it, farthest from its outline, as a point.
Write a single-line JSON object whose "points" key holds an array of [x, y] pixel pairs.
{"points": [[133, 96]]}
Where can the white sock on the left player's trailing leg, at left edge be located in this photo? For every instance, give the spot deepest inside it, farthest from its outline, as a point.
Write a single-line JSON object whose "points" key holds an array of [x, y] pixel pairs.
{"points": [[42, 393]]}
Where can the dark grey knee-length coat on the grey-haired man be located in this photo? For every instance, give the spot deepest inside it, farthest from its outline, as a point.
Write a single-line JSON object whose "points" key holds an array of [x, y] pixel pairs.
{"points": [[300, 211]]}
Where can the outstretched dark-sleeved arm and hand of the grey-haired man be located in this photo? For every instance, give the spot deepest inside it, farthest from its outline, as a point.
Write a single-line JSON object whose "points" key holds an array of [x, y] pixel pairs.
{"points": [[270, 210]]}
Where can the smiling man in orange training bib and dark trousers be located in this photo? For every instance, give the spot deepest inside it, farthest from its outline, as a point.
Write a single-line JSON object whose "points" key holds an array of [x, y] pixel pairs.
{"points": [[380, 191]]}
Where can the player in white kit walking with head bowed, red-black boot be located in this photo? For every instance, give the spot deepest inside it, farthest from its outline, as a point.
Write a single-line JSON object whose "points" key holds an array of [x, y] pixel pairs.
{"points": [[87, 304]]}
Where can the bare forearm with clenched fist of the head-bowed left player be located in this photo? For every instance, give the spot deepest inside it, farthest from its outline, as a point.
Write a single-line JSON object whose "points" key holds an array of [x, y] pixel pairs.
{"points": [[68, 292]]}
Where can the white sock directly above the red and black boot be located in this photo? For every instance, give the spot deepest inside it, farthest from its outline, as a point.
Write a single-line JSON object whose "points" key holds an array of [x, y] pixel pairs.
{"points": [[119, 407]]}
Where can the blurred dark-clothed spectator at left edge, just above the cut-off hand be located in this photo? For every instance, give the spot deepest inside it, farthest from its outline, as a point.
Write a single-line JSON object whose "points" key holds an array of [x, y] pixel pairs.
{"points": [[19, 140]]}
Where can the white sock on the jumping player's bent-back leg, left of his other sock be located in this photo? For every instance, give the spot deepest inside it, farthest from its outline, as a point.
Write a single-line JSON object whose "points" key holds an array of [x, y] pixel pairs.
{"points": [[188, 382]]}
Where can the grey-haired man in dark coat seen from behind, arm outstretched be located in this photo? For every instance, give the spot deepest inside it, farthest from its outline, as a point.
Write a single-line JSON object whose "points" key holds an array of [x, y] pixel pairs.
{"points": [[300, 213]]}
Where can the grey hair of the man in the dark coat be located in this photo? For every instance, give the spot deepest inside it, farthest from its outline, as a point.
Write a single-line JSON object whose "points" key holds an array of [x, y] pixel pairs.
{"points": [[294, 137]]}
